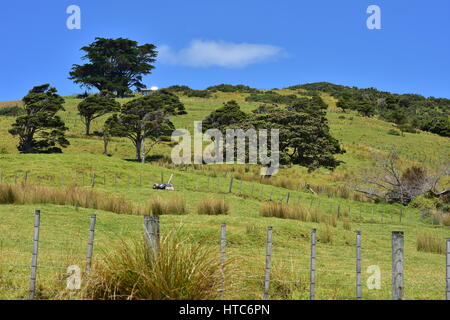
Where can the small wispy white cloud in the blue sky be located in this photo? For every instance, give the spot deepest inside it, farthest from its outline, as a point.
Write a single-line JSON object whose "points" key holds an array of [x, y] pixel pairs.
{"points": [[218, 53]]}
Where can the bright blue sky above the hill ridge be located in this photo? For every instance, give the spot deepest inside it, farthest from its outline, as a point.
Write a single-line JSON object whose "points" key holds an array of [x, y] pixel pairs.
{"points": [[264, 44]]}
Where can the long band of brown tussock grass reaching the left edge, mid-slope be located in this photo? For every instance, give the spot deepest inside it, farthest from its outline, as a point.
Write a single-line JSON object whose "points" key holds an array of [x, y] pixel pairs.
{"points": [[24, 193]]}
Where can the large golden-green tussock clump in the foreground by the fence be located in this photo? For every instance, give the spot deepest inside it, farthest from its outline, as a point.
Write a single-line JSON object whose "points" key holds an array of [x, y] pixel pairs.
{"points": [[179, 271]]}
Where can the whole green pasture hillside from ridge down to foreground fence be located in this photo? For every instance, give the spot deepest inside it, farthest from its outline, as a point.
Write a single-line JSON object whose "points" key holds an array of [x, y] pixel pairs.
{"points": [[362, 137]]}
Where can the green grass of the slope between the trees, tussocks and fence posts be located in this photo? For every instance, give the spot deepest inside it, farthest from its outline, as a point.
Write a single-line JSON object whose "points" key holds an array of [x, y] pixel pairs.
{"points": [[361, 137]]}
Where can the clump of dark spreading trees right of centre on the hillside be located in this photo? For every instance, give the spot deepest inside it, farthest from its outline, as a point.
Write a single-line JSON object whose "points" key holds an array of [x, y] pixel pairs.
{"points": [[305, 137]]}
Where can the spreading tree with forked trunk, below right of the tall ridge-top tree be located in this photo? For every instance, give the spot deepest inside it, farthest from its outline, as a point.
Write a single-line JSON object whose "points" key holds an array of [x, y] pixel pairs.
{"points": [[147, 117]]}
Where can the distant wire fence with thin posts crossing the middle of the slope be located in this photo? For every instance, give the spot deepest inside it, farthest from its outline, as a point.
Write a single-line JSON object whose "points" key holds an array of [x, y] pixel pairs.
{"points": [[353, 210]]}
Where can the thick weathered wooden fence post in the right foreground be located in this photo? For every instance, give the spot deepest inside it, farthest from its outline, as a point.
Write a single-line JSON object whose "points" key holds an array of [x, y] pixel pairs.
{"points": [[397, 265]]}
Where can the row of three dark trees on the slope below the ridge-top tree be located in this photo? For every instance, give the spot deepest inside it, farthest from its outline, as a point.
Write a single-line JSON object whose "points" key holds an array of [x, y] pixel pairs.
{"points": [[41, 130]]}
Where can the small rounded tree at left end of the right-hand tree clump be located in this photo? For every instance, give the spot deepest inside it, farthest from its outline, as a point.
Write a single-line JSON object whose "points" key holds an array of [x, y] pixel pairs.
{"points": [[224, 117]]}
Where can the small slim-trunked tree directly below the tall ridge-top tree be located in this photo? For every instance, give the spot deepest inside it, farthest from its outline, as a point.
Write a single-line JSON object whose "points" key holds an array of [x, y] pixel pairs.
{"points": [[94, 107]]}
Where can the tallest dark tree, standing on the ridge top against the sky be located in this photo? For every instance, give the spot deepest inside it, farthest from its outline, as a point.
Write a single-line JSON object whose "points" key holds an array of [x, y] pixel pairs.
{"points": [[115, 65]]}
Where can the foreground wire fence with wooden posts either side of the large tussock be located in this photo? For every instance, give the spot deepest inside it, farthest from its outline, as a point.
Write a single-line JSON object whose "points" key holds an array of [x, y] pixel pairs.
{"points": [[54, 252]]}
